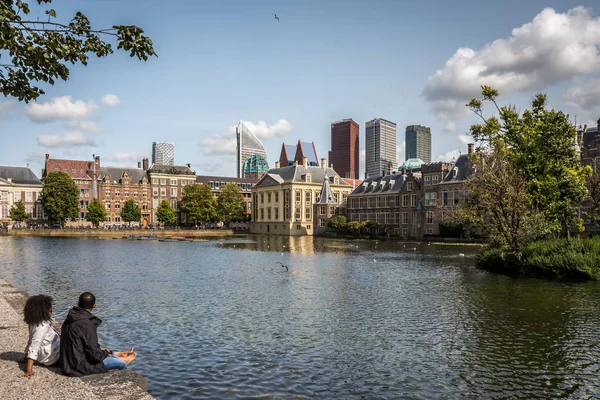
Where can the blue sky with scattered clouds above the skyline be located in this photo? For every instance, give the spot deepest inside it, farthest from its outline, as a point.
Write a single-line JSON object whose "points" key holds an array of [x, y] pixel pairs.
{"points": [[221, 62]]}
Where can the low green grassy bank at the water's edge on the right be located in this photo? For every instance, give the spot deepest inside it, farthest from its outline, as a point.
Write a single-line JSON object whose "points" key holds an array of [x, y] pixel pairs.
{"points": [[576, 258]]}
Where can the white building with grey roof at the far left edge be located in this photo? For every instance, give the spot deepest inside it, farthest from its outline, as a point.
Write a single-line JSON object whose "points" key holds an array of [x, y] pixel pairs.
{"points": [[20, 184]]}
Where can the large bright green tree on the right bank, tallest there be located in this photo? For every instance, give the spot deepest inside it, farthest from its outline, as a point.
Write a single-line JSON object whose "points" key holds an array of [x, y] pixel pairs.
{"points": [[541, 145]]}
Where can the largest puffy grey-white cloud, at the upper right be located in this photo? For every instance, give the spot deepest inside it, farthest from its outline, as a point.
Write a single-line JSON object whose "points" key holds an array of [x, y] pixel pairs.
{"points": [[552, 48]]}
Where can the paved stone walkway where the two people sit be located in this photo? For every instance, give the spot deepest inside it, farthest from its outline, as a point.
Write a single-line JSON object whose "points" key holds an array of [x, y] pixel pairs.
{"points": [[48, 383]]}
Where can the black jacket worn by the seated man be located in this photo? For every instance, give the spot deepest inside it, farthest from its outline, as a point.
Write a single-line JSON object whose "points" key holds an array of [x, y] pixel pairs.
{"points": [[80, 353]]}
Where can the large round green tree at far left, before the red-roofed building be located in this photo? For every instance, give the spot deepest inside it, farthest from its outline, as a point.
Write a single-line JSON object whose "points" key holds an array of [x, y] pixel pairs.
{"points": [[60, 197]]}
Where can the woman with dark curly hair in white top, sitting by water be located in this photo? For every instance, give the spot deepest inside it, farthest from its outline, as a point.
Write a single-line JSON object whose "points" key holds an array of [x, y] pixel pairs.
{"points": [[44, 344]]}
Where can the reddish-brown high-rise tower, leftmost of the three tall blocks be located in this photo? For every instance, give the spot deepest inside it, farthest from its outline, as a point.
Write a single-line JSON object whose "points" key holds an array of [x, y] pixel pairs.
{"points": [[344, 148]]}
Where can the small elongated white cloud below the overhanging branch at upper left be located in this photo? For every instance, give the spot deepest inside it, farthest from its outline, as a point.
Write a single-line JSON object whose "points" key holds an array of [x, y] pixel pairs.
{"points": [[60, 108]]}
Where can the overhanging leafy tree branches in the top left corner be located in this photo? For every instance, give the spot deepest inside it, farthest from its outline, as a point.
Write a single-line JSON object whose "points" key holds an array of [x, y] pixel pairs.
{"points": [[36, 49]]}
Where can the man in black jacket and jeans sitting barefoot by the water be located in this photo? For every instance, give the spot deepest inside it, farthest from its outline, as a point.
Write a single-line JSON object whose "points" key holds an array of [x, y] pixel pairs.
{"points": [[80, 353]]}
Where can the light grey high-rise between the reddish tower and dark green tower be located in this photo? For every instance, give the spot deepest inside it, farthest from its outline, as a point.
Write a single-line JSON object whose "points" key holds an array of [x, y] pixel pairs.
{"points": [[380, 147]]}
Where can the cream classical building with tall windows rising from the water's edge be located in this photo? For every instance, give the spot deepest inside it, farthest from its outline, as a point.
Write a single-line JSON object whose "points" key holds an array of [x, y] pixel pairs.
{"points": [[284, 198]]}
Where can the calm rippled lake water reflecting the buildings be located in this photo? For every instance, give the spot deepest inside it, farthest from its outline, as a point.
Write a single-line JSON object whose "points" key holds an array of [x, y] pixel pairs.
{"points": [[351, 319]]}
